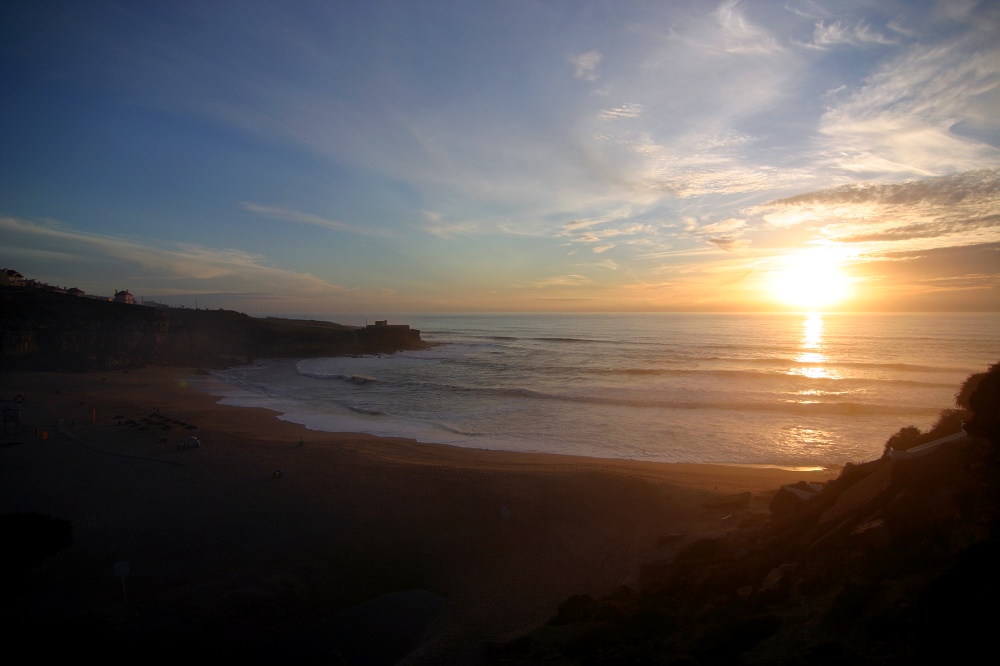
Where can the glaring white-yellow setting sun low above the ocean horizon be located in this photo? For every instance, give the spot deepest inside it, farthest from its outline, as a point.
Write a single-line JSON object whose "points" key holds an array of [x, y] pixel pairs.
{"points": [[810, 280]]}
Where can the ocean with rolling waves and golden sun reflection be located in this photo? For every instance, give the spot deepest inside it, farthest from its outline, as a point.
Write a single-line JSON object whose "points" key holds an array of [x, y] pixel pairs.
{"points": [[790, 390]]}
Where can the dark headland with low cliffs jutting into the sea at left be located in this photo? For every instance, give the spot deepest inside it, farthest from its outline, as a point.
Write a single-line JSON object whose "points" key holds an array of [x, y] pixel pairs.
{"points": [[48, 331]]}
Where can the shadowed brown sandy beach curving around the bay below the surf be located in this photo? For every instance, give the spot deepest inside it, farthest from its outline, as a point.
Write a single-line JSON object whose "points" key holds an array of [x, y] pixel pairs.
{"points": [[270, 540]]}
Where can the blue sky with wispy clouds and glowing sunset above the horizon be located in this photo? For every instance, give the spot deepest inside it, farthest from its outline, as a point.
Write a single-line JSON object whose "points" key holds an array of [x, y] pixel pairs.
{"points": [[427, 156]]}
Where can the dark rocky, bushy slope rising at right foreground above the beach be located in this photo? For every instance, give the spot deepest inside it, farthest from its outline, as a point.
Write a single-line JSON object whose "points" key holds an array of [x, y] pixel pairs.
{"points": [[894, 562]]}
